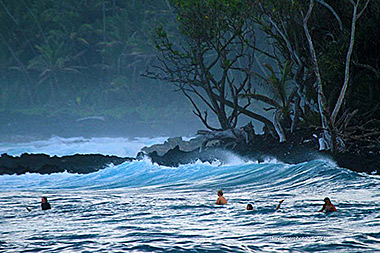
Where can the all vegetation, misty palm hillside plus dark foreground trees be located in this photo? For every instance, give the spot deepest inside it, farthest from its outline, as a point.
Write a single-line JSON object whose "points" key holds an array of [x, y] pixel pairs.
{"points": [[310, 63]]}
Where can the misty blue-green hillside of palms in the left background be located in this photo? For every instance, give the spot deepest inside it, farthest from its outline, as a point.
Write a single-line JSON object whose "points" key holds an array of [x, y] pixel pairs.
{"points": [[84, 58]]}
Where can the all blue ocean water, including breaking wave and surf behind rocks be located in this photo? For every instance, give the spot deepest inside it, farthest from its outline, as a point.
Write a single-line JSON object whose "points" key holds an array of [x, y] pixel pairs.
{"points": [[142, 207]]}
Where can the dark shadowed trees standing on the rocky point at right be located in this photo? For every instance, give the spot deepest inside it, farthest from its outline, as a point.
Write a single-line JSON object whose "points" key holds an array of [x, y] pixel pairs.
{"points": [[312, 63]]}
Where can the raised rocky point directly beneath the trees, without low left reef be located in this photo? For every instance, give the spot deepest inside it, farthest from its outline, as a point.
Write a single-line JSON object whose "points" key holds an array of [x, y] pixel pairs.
{"points": [[300, 147]]}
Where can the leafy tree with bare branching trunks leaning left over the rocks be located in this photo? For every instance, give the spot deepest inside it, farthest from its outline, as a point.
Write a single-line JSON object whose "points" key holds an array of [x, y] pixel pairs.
{"points": [[207, 66]]}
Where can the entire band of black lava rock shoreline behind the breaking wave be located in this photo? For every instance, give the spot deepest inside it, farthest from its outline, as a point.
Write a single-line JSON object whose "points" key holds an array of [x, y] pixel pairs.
{"points": [[206, 146]]}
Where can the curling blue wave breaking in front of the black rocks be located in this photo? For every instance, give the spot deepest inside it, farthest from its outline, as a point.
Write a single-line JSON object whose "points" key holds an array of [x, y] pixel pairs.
{"points": [[144, 173]]}
